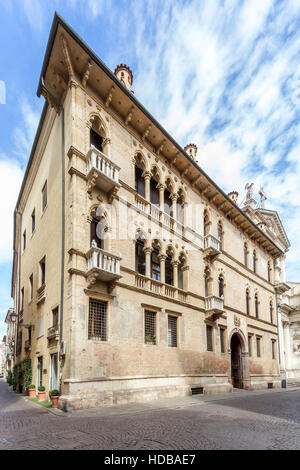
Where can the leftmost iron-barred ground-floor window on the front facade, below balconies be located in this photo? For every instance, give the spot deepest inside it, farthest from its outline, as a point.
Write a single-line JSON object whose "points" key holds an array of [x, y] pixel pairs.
{"points": [[97, 328]]}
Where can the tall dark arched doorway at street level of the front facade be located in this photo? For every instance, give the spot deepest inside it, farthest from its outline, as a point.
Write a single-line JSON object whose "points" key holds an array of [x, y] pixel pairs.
{"points": [[239, 373]]}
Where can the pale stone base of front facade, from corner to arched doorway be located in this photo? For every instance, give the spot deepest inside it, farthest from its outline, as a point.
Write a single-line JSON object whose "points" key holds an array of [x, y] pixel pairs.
{"points": [[108, 392]]}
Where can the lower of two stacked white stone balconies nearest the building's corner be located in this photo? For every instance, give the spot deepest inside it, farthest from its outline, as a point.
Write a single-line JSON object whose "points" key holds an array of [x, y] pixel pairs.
{"points": [[102, 265]]}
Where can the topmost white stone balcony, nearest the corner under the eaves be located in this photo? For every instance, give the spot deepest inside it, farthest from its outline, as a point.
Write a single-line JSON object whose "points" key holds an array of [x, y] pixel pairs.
{"points": [[101, 171]]}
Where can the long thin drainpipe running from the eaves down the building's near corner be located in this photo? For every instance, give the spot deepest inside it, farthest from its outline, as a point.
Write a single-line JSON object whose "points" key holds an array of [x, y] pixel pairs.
{"points": [[62, 274]]}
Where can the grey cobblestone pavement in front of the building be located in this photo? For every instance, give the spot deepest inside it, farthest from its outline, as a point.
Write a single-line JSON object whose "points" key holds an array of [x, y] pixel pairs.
{"points": [[268, 419]]}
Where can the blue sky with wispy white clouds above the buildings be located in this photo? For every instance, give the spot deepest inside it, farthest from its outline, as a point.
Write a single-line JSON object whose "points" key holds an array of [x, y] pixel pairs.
{"points": [[224, 74]]}
